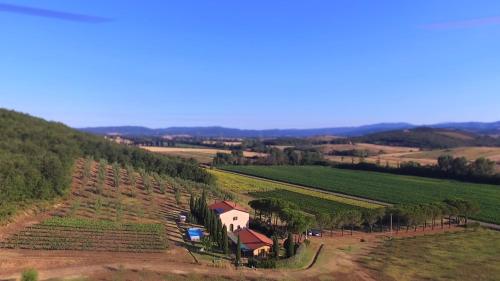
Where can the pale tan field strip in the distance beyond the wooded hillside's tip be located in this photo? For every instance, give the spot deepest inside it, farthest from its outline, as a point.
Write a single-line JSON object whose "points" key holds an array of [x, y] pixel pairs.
{"points": [[202, 155]]}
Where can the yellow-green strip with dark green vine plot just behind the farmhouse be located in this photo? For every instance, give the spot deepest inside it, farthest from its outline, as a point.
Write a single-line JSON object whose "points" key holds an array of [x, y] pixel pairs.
{"points": [[309, 200]]}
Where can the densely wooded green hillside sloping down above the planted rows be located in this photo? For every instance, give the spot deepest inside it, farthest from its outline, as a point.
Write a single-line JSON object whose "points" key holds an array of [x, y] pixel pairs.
{"points": [[36, 158]]}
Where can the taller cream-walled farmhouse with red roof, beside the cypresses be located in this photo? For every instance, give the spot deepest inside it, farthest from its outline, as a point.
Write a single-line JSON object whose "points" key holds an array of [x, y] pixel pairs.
{"points": [[231, 215]]}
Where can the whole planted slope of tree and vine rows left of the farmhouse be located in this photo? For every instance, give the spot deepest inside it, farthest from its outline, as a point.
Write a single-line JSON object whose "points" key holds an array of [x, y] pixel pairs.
{"points": [[110, 209]]}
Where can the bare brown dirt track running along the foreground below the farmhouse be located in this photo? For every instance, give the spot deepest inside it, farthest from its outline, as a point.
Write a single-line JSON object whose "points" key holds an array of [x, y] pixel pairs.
{"points": [[337, 260]]}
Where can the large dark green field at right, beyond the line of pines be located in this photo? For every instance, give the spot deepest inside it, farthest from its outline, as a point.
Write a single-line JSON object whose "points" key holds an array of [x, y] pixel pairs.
{"points": [[384, 187]]}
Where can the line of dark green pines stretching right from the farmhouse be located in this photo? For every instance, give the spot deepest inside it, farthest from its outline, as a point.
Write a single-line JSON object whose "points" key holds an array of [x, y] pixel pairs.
{"points": [[284, 217]]}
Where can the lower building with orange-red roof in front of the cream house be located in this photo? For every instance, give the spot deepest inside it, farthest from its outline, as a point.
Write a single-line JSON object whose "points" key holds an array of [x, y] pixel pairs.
{"points": [[252, 242]]}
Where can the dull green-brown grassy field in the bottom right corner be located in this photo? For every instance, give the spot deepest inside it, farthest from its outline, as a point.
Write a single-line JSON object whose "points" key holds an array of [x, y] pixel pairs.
{"points": [[469, 255]]}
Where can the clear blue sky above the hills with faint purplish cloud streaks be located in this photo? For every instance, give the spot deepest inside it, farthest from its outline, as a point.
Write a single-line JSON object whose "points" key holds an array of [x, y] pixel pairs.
{"points": [[251, 64]]}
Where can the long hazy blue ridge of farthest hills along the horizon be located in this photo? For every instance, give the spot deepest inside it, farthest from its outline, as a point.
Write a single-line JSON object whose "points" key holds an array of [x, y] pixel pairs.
{"points": [[473, 127]]}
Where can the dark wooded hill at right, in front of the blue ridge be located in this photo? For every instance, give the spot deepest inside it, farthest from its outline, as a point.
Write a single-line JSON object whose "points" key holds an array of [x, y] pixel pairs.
{"points": [[425, 137]]}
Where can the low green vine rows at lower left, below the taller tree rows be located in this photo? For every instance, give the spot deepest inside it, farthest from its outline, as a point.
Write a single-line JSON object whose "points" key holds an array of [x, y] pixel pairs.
{"points": [[81, 234]]}
